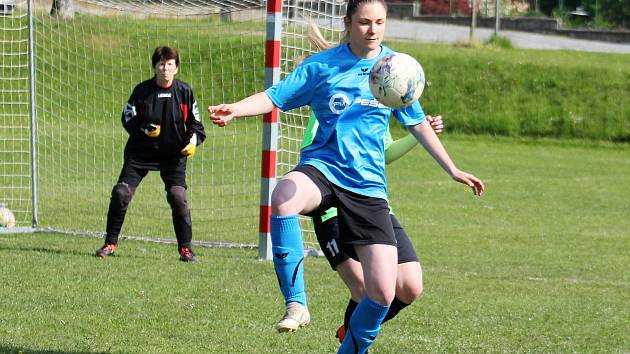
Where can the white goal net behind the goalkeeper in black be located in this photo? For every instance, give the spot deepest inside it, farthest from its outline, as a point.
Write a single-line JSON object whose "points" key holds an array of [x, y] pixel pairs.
{"points": [[61, 140]]}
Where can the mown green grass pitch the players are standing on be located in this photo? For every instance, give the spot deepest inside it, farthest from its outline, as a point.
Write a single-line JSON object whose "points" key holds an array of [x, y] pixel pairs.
{"points": [[537, 265]]}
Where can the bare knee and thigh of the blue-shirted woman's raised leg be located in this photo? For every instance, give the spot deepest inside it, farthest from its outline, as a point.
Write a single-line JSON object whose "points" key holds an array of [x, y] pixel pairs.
{"points": [[295, 194]]}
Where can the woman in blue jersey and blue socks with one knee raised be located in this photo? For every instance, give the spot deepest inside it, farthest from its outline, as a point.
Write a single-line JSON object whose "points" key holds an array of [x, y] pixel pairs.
{"points": [[343, 167]]}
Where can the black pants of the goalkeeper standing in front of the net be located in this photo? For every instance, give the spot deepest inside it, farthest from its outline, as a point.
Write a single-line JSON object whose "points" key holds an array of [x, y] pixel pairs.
{"points": [[175, 186]]}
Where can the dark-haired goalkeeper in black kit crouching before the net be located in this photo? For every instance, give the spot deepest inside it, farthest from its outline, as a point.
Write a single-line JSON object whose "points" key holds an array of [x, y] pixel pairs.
{"points": [[164, 128]]}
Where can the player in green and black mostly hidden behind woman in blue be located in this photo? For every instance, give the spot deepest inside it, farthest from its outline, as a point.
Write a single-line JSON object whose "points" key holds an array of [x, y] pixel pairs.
{"points": [[409, 276]]}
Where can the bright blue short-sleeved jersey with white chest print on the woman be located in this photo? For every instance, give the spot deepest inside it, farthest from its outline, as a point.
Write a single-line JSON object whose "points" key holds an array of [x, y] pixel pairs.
{"points": [[348, 147]]}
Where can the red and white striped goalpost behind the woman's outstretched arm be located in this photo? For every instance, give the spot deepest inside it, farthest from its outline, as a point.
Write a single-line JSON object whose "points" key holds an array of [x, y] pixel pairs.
{"points": [[270, 127]]}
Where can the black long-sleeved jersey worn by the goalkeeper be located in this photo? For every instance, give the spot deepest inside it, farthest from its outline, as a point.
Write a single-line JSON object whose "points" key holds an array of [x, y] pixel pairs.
{"points": [[175, 110]]}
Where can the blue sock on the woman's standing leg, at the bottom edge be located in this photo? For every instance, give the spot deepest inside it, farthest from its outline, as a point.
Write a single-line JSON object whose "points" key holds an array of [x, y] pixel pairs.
{"points": [[365, 324]]}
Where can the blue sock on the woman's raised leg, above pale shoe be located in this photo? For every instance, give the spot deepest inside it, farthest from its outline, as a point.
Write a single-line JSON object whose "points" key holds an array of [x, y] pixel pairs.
{"points": [[288, 257]]}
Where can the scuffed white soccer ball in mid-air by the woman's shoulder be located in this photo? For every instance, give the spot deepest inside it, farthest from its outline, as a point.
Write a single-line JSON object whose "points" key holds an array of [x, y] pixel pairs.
{"points": [[397, 80]]}
